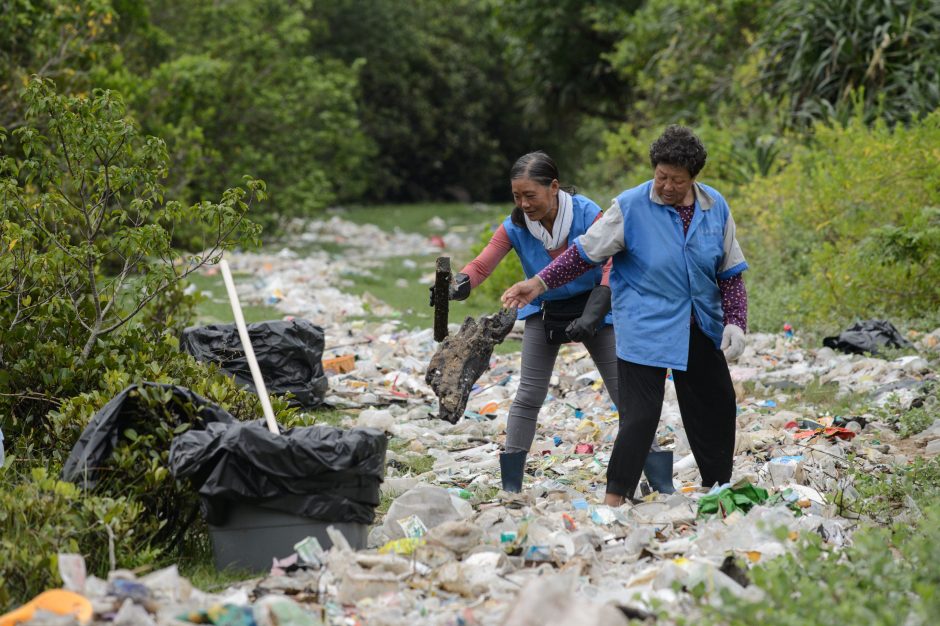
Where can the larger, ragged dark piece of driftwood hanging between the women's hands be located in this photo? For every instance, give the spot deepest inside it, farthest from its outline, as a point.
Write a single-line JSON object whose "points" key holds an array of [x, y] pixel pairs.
{"points": [[463, 357]]}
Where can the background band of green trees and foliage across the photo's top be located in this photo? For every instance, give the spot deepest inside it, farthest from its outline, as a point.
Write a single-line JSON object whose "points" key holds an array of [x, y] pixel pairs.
{"points": [[348, 101]]}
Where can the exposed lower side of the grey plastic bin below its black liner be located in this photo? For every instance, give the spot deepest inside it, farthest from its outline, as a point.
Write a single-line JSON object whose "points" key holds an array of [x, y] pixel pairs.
{"points": [[252, 536]]}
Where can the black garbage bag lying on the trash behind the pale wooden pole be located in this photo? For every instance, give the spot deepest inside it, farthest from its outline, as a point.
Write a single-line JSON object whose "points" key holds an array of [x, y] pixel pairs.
{"points": [[289, 356]]}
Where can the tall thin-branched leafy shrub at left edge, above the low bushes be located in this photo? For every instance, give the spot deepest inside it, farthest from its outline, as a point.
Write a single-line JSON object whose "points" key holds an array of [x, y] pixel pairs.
{"points": [[88, 254]]}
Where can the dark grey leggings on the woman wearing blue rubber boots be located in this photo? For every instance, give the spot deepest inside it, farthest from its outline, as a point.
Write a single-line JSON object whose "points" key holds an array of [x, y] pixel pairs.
{"points": [[538, 361]]}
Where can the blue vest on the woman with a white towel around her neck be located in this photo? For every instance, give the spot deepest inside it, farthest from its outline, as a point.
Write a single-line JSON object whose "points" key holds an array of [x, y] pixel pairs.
{"points": [[534, 257]]}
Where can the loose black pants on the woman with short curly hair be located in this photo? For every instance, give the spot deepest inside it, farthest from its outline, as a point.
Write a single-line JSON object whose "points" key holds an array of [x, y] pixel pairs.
{"points": [[706, 402]]}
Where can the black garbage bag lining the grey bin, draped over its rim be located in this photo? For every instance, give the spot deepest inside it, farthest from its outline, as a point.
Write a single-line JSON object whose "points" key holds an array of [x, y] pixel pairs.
{"points": [[319, 472]]}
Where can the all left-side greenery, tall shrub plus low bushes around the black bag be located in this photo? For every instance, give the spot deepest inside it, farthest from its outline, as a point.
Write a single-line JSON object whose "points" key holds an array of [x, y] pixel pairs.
{"points": [[91, 301]]}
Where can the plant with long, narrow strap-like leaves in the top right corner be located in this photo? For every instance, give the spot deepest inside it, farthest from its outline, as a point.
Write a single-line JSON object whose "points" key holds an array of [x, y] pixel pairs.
{"points": [[821, 56]]}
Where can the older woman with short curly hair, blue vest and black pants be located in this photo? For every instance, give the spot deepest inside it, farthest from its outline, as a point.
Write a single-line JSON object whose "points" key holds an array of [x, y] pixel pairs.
{"points": [[678, 302]]}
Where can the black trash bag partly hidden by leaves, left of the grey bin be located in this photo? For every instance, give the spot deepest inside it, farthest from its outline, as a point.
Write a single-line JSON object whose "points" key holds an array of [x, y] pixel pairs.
{"points": [[124, 411]]}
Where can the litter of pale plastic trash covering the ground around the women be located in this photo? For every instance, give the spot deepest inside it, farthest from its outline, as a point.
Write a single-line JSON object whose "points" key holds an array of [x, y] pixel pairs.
{"points": [[452, 548]]}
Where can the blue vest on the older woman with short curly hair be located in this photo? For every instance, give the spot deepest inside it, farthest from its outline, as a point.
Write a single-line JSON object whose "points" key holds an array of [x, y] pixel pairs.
{"points": [[664, 276]]}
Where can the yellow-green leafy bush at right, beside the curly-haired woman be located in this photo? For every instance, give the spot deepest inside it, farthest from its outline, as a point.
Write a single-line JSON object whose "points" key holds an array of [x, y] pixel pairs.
{"points": [[849, 228]]}
